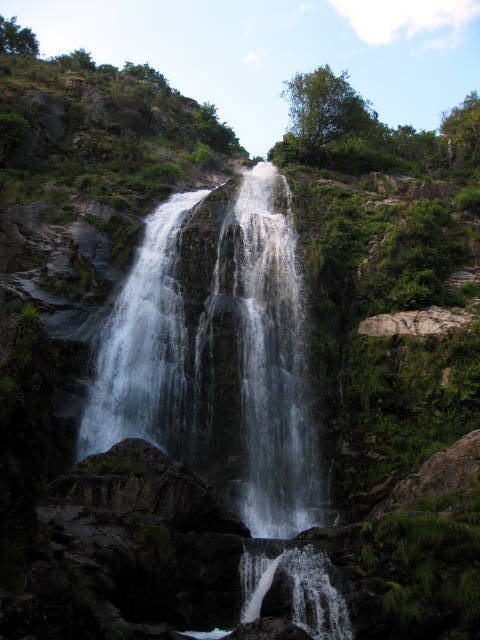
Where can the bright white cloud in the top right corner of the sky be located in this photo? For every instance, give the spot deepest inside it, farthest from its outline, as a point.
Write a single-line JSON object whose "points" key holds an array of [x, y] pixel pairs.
{"points": [[383, 21]]}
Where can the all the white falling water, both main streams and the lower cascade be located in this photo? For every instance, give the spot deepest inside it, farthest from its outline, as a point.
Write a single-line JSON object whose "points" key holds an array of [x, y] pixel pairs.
{"points": [[140, 383]]}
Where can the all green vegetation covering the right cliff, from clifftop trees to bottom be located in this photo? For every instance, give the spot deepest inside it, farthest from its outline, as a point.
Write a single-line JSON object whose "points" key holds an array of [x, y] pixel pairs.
{"points": [[379, 244]]}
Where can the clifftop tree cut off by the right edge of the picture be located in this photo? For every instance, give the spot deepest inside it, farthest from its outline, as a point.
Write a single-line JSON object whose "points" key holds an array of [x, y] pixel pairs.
{"points": [[462, 129]]}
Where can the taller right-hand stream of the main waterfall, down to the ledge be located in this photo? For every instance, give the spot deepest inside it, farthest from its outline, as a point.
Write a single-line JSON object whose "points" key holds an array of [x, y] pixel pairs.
{"points": [[281, 485]]}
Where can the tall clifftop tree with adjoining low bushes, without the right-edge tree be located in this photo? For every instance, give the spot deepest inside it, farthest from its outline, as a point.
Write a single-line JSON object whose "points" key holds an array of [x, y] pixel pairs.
{"points": [[333, 127]]}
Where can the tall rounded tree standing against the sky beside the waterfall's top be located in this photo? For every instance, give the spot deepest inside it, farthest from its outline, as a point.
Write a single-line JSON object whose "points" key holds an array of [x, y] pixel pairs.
{"points": [[324, 107]]}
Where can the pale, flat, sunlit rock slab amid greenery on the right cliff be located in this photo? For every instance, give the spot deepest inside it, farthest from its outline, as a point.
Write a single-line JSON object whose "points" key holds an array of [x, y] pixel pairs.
{"points": [[431, 321]]}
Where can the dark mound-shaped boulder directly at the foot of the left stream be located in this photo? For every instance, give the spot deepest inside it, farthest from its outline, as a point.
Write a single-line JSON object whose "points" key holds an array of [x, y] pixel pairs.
{"points": [[136, 477]]}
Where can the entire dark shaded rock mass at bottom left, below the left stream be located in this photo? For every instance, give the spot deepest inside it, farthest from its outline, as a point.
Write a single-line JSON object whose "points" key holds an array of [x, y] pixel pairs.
{"points": [[131, 542]]}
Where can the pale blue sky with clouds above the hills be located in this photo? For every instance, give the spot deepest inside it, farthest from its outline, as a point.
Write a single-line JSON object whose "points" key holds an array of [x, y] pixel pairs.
{"points": [[413, 59]]}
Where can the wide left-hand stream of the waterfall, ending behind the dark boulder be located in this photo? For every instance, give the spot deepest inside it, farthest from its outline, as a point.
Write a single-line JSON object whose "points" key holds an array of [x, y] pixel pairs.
{"points": [[139, 386]]}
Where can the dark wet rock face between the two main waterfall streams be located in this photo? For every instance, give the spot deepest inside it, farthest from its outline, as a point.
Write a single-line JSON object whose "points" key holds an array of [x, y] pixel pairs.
{"points": [[212, 326]]}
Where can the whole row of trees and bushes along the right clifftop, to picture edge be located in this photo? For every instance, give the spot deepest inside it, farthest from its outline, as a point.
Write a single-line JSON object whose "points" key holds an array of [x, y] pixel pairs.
{"points": [[334, 128]]}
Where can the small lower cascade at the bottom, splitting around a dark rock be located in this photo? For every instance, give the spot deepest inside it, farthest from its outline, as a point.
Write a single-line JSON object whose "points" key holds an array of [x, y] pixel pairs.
{"points": [[316, 605]]}
